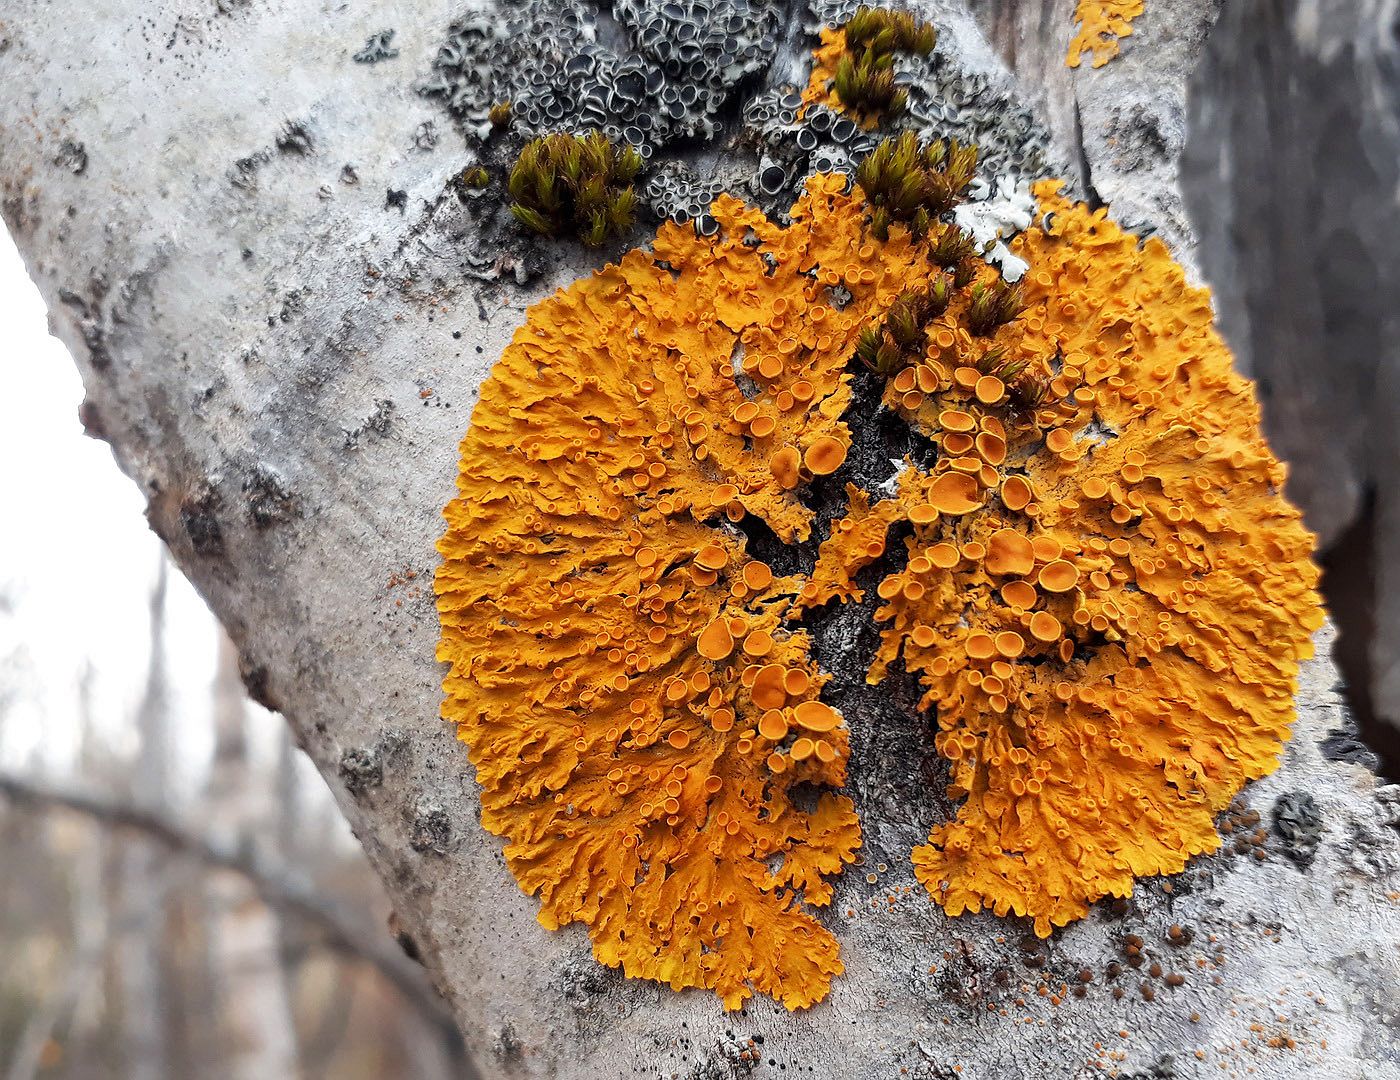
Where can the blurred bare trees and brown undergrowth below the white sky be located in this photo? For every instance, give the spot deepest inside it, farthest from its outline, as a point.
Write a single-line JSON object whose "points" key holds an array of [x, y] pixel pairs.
{"points": [[148, 934]]}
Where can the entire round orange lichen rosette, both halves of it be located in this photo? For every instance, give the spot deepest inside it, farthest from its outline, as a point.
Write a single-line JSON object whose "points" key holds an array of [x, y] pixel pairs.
{"points": [[1105, 596]]}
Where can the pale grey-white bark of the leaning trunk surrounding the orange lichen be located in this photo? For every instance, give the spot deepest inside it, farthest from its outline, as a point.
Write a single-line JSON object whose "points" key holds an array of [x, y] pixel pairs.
{"points": [[247, 243]]}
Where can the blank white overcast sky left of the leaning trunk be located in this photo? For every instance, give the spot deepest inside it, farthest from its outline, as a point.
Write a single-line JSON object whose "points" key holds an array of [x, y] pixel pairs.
{"points": [[76, 560]]}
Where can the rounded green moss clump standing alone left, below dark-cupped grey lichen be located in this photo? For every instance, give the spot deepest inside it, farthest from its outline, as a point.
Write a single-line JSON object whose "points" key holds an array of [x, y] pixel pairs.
{"points": [[565, 184]]}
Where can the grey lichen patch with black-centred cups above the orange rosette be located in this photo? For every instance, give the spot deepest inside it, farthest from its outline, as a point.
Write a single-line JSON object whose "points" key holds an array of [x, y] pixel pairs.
{"points": [[695, 89]]}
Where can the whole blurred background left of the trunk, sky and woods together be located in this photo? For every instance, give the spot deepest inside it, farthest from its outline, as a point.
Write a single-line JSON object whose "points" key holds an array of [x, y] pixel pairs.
{"points": [[180, 896]]}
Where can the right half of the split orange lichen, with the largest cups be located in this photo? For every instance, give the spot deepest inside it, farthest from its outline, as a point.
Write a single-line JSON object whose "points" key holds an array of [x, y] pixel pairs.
{"points": [[1109, 610]]}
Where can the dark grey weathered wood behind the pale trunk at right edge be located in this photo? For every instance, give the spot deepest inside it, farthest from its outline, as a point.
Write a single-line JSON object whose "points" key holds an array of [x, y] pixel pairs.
{"points": [[1291, 176]]}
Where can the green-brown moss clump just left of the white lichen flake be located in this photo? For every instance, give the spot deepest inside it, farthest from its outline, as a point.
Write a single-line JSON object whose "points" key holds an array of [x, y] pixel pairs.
{"points": [[915, 184]]}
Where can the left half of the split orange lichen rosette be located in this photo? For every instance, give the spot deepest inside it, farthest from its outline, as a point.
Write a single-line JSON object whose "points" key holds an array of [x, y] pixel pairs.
{"points": [[636, 707]]}
